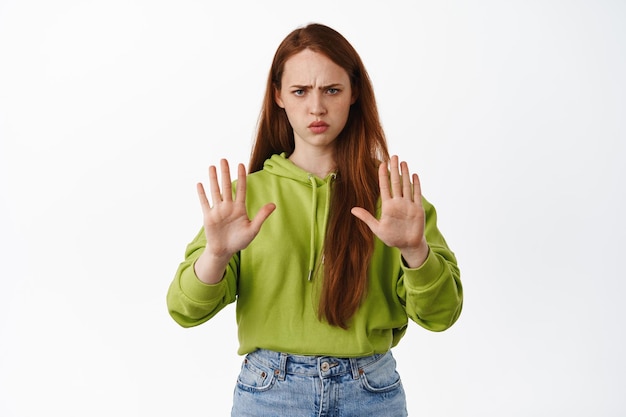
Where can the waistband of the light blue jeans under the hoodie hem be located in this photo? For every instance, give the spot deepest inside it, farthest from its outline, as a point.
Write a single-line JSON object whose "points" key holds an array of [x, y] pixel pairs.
{"points": [[322, 366]]}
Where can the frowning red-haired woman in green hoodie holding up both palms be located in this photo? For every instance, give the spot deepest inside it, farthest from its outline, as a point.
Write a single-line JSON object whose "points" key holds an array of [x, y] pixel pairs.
{"points": [[340, 252]]}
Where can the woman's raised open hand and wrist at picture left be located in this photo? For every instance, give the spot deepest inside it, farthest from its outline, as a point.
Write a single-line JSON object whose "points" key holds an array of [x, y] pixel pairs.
{"points": [[227, 227]]}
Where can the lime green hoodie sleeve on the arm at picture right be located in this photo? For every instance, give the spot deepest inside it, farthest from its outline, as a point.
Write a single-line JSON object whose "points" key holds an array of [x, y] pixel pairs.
{"points": [[432, 294]]}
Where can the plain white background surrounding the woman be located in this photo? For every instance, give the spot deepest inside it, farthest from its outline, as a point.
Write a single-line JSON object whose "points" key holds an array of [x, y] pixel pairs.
{"points": [[110, 112]]}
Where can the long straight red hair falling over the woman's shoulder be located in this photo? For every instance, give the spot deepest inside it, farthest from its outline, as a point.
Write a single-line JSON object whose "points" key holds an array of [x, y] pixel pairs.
{"points": [[360, 148]]}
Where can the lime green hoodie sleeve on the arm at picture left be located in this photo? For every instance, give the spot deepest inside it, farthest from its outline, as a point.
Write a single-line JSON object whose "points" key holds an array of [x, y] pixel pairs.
{"points": [[190, 301]]}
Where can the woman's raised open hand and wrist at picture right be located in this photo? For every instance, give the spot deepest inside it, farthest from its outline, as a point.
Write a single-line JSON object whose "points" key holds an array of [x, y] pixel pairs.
{"points": [[402, 217]]}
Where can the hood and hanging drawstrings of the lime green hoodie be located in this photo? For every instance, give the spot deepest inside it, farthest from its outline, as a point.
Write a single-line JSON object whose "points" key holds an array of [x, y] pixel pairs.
{"points": [[280, 166]]}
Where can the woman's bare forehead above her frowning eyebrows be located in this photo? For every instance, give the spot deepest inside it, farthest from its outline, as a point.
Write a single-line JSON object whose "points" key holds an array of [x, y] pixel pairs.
{"points": [[310, 68]]}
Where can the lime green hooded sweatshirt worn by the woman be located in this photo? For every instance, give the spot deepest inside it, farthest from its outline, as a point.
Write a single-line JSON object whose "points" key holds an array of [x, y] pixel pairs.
{"points": [[276, 283]]}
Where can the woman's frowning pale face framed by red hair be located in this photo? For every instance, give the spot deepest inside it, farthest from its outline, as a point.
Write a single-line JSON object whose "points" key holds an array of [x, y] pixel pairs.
{"points": [[316, 95]]}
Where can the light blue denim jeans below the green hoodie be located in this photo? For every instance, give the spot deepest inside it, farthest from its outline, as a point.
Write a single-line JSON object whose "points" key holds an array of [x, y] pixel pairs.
{"points": [[273, 384]]}
